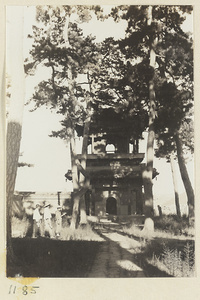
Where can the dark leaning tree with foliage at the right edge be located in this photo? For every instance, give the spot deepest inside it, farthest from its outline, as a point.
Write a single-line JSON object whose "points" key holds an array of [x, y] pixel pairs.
{"points": [[175, 61]]}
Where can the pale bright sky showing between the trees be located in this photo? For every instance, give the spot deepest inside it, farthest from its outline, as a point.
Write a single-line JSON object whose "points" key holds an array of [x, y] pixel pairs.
{"points": [[50, 156]]}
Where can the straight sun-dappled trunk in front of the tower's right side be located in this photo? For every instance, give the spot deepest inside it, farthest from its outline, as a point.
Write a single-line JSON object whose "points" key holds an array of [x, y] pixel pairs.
{"points": [[148, 173]]}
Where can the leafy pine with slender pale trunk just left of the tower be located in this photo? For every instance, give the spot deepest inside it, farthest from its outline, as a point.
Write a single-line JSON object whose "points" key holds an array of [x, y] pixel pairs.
{"points": [[61, 46]]}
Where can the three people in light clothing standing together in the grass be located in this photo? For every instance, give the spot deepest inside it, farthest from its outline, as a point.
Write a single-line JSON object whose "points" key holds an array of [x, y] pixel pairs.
{"points": [[48, 224]]}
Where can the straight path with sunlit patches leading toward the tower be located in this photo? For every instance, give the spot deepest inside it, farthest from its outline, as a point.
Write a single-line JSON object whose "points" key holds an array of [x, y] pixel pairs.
{"points": [[117, 257]]}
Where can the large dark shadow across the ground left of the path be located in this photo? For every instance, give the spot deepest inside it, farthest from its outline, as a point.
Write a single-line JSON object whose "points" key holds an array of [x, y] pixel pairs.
{"points": [[43, 257]]}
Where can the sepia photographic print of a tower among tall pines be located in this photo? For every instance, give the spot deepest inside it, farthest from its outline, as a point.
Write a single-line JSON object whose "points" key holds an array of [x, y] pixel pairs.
{"points": [[99, 113]]}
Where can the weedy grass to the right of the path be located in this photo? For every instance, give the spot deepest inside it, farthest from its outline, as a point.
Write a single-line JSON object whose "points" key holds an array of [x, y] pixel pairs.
{"points": [[171, 248]]}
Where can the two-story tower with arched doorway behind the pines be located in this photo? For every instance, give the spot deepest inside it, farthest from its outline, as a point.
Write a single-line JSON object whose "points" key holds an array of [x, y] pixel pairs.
{"points": [[115, 168]]}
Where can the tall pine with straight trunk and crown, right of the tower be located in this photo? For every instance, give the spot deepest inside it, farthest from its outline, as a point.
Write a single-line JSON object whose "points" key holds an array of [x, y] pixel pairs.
{"points": [[150, 28]]}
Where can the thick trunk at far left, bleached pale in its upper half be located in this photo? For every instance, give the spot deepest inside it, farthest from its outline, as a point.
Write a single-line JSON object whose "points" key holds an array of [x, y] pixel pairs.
{"points": [[14, 123]]}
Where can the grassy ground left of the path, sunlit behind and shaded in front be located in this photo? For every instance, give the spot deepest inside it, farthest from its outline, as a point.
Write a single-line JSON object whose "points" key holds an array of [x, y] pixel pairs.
{"points": [[70, 256]]}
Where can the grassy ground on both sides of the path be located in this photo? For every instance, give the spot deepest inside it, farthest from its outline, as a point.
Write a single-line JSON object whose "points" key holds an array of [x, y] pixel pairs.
{"points": [[169, 252]]}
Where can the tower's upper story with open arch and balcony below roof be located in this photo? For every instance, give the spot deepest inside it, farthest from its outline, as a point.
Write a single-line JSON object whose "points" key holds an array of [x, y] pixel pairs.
{"points": [[113, 149]]}
